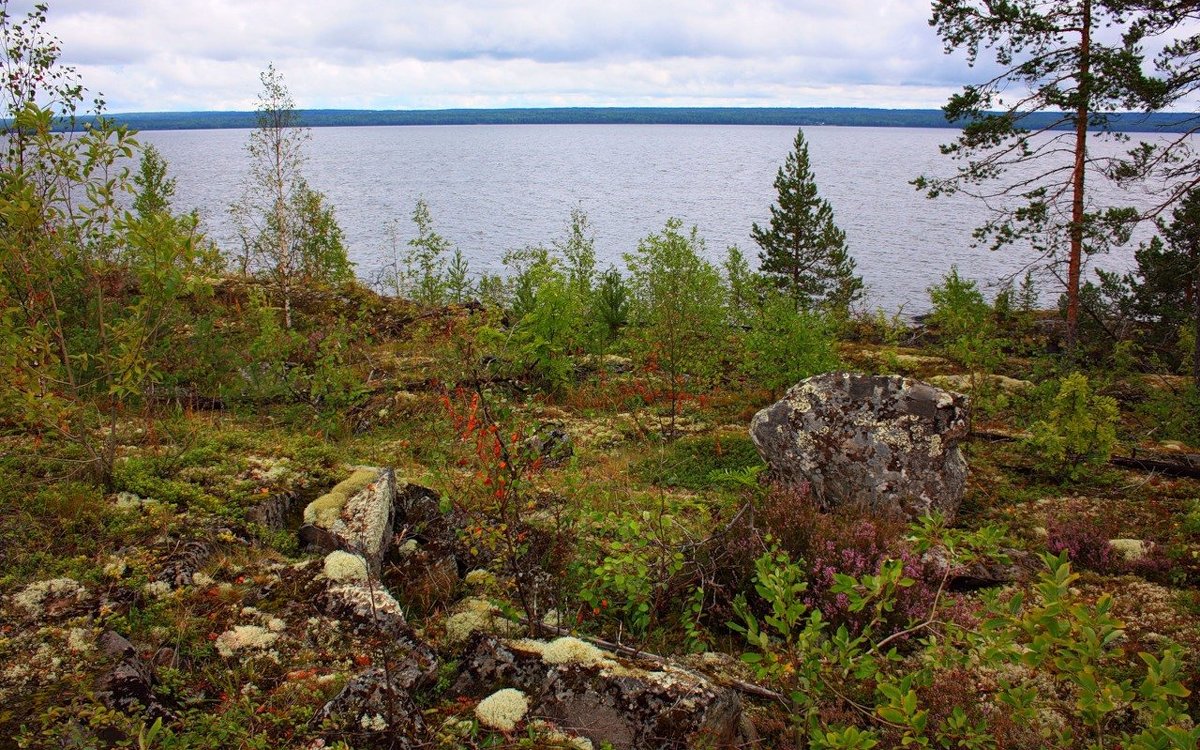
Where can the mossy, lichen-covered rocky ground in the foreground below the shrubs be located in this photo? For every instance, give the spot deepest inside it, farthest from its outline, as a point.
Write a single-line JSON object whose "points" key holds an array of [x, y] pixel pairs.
{"points": [[248, 584]]}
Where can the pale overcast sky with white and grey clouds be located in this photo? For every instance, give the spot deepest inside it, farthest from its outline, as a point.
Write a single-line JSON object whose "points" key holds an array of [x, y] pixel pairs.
{"points": [[148, 56]]}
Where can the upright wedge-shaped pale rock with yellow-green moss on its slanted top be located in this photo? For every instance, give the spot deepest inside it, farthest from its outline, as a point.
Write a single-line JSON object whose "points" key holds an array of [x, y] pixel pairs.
{"points": [[357, 515]]}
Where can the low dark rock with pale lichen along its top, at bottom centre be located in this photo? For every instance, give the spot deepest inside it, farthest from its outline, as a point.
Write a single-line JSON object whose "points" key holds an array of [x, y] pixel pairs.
{"points": [[589, 693]]}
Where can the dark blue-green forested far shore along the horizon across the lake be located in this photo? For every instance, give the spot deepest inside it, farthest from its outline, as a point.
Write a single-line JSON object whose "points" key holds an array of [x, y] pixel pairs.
{"points": [[851, 117]]}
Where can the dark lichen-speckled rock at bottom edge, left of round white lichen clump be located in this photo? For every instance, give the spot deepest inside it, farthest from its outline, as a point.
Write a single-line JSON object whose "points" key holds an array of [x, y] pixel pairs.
{"points": [[369, 704]]}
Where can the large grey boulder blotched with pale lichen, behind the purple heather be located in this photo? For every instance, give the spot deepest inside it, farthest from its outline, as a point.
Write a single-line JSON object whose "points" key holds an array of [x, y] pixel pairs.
{"points": [[884, 442]]}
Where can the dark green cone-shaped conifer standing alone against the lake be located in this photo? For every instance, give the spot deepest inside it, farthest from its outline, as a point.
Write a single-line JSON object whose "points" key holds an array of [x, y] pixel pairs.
{"points": [[803, 251]]}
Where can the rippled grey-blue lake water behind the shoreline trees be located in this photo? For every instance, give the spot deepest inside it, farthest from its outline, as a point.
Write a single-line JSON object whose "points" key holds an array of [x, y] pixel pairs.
{"points": [[497, 188]]}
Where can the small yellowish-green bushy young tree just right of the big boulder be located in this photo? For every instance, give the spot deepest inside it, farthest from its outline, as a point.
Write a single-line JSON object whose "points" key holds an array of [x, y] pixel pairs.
{"points": [[1081, 430]]}
